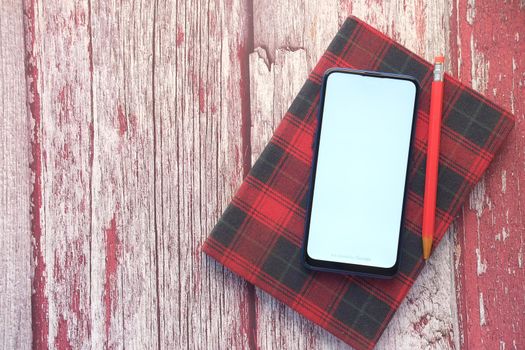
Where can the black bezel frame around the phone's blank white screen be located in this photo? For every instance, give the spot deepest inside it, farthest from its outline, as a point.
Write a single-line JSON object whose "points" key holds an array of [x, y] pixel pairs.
{"points": [[354, 269]]}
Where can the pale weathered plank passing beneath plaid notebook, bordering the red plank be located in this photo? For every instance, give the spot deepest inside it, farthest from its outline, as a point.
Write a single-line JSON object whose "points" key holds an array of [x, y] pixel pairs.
{"points": [[427, 317]]}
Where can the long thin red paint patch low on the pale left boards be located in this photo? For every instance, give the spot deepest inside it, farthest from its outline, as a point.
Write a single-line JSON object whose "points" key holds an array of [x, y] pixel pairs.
{"points": [[112, 247]]}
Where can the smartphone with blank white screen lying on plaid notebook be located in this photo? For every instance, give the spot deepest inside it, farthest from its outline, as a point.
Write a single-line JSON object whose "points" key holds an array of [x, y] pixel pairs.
{"points": [[359, 172]]}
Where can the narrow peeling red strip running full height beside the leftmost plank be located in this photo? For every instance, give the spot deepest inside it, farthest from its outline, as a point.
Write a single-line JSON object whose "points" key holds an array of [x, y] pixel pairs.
{"points": [[39, 302]]}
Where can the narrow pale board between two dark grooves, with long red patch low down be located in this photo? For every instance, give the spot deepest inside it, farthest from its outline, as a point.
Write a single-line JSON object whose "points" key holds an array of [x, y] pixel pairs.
{"points": [[124, 297]]}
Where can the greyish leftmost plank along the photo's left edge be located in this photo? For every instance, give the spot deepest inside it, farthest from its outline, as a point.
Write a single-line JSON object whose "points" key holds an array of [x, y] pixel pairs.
{"points": [[15, 184]]}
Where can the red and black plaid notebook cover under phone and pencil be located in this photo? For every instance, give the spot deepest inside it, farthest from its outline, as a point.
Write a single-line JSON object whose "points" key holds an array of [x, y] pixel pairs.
{"points": [[260, 234]]}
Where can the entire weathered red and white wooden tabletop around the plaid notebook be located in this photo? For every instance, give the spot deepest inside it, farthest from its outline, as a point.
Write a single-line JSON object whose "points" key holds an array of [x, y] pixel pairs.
{"points": [[127, 126]]}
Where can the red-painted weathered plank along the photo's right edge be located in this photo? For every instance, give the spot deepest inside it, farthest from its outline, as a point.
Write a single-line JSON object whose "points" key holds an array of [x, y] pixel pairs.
{"points": [[487, 48]]}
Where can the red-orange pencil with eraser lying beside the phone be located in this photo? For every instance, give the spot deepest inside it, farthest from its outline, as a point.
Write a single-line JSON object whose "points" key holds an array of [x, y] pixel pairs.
{"points": [[431, 178]]}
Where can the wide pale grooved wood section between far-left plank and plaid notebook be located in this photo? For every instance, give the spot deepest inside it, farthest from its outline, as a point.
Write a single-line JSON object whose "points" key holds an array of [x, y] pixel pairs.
{"points": [[138, 148]]}
